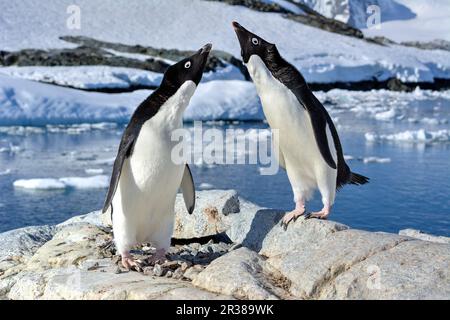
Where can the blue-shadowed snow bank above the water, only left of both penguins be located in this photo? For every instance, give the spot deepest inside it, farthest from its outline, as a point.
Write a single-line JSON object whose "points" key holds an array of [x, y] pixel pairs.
{"points": [[30, 103]]}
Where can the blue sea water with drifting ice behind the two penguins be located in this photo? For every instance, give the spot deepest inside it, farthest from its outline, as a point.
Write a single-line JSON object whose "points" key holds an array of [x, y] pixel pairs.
{"points": [[410, 191]]}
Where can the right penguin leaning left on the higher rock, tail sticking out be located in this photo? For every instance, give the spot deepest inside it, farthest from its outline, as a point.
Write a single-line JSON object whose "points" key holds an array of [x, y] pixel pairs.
{"points": [[309, 147]]}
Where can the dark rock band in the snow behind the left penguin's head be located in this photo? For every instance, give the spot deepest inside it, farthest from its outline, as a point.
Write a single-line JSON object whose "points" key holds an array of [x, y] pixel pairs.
{"points": [[91, 51]]}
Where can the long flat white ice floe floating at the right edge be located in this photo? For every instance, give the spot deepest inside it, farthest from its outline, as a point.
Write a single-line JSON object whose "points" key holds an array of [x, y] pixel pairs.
{"points": [[411, 136]]}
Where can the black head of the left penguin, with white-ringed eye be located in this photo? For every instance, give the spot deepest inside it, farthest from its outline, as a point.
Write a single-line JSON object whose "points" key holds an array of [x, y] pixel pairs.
{"points": [[188, 69]]}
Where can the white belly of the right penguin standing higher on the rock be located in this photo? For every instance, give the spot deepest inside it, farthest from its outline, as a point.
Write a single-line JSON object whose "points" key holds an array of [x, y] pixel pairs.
{"points": [[303, 161]]}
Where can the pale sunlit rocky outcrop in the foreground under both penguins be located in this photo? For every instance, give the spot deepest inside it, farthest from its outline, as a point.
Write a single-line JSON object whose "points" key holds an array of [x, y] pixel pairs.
{"points": [[228, 249]]}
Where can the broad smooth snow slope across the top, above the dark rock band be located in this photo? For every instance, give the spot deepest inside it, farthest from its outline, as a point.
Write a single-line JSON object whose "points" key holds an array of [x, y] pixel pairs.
{"points": [[191, 23]]}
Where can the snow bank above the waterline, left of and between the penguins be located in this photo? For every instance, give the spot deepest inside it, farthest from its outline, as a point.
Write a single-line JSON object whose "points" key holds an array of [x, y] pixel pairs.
{"points": [[28, 103]]}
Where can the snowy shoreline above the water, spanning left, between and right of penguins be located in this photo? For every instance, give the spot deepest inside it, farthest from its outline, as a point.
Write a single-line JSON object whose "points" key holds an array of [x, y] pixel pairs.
{"points": [[29, 103]]}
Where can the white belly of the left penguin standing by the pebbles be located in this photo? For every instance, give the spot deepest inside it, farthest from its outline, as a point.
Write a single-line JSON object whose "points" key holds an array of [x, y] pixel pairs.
{"points": [[144, 201]]}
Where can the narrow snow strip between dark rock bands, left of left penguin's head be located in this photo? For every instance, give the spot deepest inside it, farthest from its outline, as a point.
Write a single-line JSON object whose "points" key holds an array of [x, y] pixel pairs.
{"points": [[87, 77]]}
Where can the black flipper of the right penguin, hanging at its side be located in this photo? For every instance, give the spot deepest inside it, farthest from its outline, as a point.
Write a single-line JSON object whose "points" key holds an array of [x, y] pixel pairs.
{"points": [[319, 116]]}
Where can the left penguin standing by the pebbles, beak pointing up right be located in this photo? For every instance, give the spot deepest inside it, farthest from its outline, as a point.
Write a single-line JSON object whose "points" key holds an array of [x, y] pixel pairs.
{"points": [[145, 180]]}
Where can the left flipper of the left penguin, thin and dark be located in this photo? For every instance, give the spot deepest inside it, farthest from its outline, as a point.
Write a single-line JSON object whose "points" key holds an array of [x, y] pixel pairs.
{"points": [[124, 152]]}
